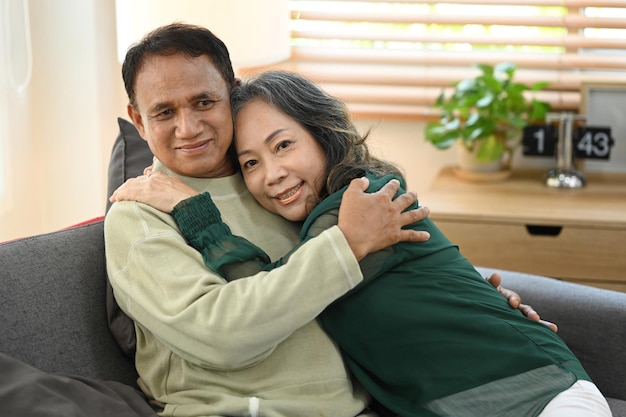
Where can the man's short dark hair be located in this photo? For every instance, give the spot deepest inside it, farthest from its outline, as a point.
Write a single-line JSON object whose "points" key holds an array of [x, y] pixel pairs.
{"points": [[176, 38]]}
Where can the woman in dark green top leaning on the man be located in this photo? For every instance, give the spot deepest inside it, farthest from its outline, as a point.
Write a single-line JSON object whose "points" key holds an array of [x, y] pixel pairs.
{"points": [[424, 333]]}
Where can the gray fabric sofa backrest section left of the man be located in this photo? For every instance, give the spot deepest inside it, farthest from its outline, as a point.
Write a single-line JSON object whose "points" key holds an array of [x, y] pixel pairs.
{"points": [[52, 305]]}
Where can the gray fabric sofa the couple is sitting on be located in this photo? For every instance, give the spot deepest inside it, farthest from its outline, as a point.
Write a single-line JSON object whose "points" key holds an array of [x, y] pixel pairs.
{"points": [[52, 312]]}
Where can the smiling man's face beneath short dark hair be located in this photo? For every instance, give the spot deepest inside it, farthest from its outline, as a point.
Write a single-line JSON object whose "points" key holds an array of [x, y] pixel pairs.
{"points": [[183, 112]]}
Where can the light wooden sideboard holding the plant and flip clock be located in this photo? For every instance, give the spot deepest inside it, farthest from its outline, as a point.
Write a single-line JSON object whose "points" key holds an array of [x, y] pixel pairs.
{"points": [[520, 224]]}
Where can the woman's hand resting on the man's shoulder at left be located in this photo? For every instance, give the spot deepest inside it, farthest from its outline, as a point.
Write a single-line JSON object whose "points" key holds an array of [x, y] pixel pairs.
{"points": [[155, 189]]}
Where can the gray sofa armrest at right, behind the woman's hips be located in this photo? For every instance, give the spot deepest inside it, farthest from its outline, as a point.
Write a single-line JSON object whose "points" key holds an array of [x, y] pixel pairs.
{"points": [[591, 321]]}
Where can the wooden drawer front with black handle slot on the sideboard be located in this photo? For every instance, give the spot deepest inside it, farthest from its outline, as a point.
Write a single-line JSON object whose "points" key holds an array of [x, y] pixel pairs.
{"points": [[586, 255]]}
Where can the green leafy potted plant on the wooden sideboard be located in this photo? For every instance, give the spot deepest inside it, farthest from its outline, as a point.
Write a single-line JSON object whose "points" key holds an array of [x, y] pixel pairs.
{"points": [[486, 115]]}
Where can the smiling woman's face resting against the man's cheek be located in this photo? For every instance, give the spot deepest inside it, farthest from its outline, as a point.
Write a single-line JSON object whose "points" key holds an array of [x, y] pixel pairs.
{"points": [[282, 164]]}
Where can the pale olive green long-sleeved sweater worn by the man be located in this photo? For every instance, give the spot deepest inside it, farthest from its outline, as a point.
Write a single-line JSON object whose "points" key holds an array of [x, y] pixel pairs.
{"points": [[251, 347]]}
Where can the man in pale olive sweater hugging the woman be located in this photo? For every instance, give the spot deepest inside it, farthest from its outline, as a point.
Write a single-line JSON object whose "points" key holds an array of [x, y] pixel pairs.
{"points": [[252, 346]]}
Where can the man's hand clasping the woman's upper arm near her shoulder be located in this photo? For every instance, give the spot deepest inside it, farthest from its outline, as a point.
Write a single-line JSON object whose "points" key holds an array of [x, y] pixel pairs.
{"points": [[371, 222]]}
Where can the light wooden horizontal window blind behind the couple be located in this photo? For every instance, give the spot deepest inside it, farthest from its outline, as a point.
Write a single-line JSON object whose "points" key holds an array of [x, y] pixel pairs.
{"points": [[392, 59]]}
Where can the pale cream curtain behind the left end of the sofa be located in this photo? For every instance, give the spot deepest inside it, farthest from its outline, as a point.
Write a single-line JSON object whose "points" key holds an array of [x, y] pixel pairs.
{"points": [[62, 126]]}
